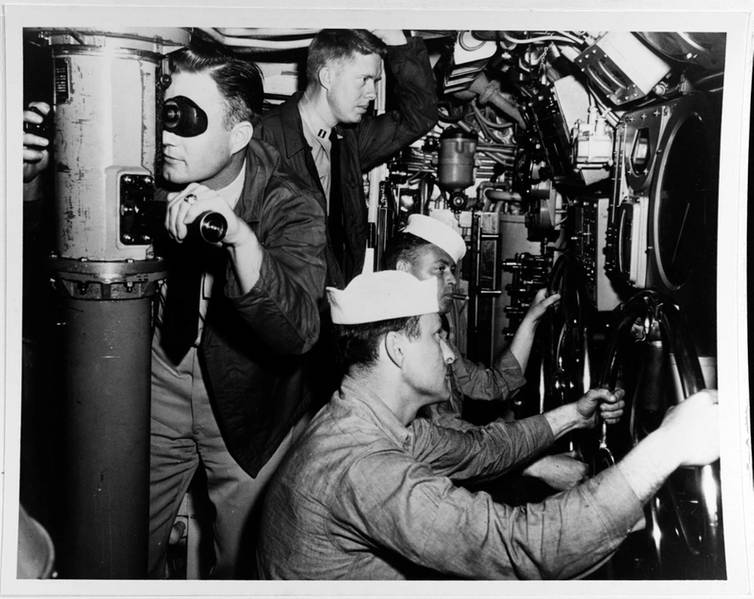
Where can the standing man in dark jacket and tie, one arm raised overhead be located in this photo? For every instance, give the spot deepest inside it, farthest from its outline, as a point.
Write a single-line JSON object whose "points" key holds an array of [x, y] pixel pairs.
{"points": [[327, 138]]}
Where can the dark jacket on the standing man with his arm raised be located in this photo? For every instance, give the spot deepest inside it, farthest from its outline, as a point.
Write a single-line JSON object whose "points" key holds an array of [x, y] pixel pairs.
{"points": [[364, 146]]}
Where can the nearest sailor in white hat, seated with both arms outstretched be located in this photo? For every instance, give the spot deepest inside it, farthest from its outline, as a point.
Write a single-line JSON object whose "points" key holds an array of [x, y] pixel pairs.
{"points": [[369, 491]]}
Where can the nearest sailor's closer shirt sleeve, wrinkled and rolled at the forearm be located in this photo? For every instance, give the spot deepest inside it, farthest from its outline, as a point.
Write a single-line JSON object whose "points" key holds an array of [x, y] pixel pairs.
{"points": [[403, 506]]}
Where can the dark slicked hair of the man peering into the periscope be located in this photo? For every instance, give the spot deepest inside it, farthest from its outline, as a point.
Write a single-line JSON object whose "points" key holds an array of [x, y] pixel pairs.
{"points": [[239, 81]]}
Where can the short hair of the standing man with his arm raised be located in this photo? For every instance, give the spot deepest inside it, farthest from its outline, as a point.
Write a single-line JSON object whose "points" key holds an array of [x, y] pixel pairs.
{"points": [[337, 44]]}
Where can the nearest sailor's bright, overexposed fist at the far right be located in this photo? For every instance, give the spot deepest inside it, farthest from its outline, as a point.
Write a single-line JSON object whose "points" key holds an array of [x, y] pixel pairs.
{"points": [[691, 429]]}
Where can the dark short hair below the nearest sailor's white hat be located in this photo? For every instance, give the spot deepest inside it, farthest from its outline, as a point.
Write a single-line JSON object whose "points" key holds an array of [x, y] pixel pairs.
{"points": [[358, 344]]}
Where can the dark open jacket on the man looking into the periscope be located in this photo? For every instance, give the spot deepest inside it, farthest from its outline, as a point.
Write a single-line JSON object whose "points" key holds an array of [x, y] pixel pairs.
{"points": [[252, 344]]}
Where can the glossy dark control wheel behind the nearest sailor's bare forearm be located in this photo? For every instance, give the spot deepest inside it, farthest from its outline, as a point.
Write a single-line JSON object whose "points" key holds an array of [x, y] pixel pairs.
{"points": [[684, 519]]}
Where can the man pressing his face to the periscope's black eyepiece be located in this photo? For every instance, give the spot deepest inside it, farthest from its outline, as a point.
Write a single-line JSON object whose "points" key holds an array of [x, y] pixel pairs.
{"points": [[234, 316]]}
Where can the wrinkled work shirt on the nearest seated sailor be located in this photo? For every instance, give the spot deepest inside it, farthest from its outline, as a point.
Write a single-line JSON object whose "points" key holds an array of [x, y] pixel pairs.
{"points": [[361, 496]]}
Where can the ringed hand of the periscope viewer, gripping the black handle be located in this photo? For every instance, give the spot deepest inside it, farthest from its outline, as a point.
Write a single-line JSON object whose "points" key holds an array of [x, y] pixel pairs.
{"points": [[196, 199]]}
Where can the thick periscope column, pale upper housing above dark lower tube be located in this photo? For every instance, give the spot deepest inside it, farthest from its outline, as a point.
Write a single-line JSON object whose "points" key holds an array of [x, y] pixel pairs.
{"points": [[106, 275]]}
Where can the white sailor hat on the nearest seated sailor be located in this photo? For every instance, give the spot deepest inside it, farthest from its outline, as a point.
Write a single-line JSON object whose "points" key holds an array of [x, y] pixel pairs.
{"points": [[382, 295]]}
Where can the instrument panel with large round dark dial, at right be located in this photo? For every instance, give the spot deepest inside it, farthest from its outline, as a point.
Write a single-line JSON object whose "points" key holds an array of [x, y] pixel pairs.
{"points": [[668, 159]]}
